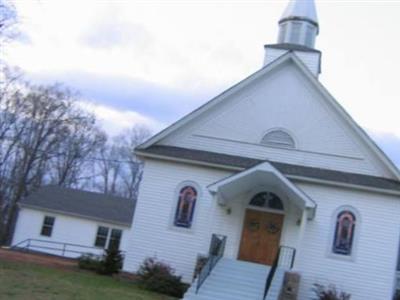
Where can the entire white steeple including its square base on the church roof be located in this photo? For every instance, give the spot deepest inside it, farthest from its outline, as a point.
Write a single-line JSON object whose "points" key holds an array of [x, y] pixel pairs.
{"points": [[298, 28]]}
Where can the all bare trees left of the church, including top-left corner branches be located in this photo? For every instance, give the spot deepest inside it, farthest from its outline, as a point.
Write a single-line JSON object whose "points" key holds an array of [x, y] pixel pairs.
{"points": [[45, 138]]}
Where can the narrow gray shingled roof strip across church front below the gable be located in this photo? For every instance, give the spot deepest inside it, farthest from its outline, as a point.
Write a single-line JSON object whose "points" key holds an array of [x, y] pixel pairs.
{"points": [[286, 169]]}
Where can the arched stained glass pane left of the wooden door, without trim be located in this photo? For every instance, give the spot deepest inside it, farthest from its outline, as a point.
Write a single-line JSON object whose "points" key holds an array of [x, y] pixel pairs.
{"points": [[185, 208]]}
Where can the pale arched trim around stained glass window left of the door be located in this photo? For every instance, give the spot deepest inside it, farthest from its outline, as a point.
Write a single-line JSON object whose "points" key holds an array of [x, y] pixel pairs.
{"points": [[175, 202]]}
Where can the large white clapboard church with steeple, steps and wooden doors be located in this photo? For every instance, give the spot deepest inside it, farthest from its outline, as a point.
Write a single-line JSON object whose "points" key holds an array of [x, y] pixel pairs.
{"points": [[269, 176]]}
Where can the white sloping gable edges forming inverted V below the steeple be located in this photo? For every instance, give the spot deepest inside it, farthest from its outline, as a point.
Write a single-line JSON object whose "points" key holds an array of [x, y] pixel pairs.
{"points": [[290, 56]]}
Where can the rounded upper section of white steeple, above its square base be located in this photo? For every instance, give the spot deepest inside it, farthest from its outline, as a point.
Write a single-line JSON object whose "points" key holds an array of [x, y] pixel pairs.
{"points": [[299, 23]]}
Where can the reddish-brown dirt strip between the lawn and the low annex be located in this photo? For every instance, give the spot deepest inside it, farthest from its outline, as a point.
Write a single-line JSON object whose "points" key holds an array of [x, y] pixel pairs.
{"points": [[37, 258]]}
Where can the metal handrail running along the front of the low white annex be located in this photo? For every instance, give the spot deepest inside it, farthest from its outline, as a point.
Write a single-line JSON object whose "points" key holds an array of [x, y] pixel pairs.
{"points": [[28, 244]]}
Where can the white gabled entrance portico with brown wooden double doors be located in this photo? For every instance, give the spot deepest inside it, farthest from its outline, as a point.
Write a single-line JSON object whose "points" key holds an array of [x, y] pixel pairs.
{"points": [[266, 210]]}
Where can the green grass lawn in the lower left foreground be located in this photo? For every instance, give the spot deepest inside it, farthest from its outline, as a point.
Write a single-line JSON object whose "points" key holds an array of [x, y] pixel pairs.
{"points": [[28, 281]]}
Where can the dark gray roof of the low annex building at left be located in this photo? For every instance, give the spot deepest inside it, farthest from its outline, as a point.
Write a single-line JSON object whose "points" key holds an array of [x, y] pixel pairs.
{"points": [[83, 204]]}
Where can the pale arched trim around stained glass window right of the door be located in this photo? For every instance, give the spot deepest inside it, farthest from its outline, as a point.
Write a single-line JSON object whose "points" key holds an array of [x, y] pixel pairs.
{"points": [[337, 212]]}
